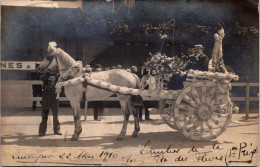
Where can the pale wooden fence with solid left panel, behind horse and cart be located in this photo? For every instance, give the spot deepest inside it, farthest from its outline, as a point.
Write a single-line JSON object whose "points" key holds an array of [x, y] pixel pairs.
{"points": [[18, 93]]}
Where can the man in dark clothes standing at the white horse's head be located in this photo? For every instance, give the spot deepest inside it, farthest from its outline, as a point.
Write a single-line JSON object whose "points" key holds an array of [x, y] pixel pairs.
{"points": [[49, 101]]}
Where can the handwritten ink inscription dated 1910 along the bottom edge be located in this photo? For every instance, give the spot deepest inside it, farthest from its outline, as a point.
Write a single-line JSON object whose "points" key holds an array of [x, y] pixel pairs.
{"points": [[168, 154]]}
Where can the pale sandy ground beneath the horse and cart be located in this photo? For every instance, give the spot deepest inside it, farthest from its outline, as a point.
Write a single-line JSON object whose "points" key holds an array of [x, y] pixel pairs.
{"points": [[156, 144]]}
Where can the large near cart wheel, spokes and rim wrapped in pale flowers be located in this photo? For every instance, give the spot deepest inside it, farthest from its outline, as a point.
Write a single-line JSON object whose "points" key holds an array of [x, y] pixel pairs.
{"points": [[203, 110]]}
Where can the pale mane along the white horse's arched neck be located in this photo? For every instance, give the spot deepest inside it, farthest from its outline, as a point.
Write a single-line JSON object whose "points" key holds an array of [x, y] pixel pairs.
{"points": [[64, 58]]}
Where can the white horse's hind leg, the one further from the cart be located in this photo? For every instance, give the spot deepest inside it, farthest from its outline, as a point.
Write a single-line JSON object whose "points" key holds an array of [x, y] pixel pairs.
{"points": [[123, 102]]}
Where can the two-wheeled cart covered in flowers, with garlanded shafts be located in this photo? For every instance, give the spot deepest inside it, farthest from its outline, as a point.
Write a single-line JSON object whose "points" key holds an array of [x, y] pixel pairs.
{"points": [[202, 110]]}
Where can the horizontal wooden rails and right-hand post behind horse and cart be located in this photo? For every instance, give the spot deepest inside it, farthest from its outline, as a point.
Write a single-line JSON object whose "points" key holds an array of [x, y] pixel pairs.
{"points": [[247, 99]]}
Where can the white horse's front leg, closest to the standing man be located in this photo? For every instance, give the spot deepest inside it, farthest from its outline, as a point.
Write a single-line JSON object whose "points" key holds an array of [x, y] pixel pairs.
{"points": [[76, 115]]}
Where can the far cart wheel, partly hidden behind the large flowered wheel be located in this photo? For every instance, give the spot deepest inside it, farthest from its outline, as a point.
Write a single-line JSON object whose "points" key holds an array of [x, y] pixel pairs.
{"points": [[166, 112]]}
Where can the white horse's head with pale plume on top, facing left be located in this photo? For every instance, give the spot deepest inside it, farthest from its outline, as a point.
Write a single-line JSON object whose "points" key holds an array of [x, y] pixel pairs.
{"points": [[49, 62]]}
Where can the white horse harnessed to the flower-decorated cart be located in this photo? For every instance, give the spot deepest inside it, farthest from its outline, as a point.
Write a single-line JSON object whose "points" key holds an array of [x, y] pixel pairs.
{"points": [[58, 58]]}
